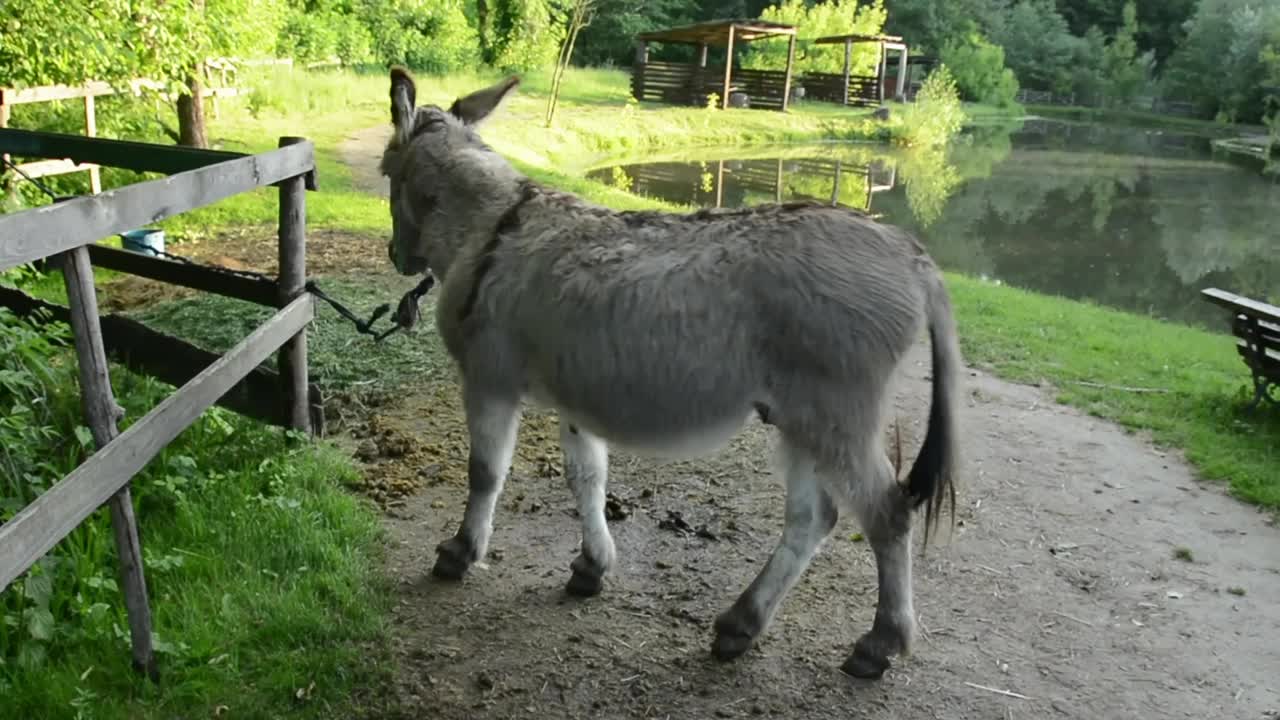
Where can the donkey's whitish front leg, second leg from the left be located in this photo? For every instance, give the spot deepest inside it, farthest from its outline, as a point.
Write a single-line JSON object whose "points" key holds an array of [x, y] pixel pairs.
{"points": [[587, 467]]}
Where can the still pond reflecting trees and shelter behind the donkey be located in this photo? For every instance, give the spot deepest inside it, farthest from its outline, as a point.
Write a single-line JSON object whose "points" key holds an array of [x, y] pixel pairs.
{"points": [[1131, 218]]}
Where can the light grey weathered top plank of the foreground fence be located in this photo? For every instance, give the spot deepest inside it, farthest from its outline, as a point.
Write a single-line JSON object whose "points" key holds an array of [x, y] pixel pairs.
{"points": [[49, 230]]}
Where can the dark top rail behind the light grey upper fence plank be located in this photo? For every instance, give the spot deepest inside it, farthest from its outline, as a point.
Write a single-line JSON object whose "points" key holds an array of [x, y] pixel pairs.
{"points": [[141, 157]]}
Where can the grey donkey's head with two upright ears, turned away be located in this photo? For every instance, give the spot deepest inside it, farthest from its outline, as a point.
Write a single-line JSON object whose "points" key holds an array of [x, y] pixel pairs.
{"points": [[446, 184]]}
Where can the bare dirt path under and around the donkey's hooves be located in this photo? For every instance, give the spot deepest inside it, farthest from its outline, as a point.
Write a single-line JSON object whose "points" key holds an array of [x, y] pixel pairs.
{"points": [[1060, 584]]}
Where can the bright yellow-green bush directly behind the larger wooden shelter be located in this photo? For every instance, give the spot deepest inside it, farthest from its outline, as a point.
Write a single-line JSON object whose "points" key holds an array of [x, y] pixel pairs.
{"points": [[813, 21]]}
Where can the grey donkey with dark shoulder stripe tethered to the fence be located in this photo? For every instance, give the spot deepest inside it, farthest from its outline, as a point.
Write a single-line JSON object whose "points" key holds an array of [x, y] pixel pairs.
{"points": [[664, 335]]}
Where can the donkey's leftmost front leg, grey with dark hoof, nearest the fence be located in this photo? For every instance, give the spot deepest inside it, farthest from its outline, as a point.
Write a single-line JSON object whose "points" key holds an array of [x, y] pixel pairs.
{"points": [[492, 423]]}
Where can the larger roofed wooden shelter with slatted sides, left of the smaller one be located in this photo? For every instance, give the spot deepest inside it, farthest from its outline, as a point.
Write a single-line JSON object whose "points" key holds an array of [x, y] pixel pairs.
{"points": [[687, 84]]}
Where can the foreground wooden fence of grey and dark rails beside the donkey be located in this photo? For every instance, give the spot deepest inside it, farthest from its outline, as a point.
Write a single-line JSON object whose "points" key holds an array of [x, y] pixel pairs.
{"points": [[68, 233]]}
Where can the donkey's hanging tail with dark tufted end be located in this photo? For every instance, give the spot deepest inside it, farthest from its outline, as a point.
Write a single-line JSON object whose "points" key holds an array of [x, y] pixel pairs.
{"points": [[932, 476]]}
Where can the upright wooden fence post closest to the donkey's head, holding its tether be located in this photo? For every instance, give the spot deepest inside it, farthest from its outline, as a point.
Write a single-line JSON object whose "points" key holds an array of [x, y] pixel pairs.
{"points": [[291, 280]]}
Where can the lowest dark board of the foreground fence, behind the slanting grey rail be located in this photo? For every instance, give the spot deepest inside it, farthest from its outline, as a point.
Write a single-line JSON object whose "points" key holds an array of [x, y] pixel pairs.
{"points": [[175, 361]]}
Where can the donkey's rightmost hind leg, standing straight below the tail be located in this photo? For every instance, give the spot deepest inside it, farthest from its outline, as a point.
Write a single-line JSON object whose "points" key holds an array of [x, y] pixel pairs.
{"points": [[886, 517]]}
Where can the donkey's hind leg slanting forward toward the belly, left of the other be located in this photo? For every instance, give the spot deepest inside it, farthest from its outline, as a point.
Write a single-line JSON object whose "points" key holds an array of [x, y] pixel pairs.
{"points": [[811, 514]]}
